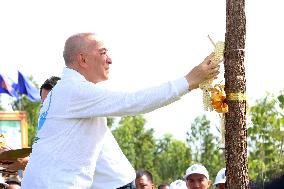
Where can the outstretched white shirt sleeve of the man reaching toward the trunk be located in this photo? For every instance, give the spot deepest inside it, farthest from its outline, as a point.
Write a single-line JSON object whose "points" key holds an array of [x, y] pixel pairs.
{"points": [[89, 100]]}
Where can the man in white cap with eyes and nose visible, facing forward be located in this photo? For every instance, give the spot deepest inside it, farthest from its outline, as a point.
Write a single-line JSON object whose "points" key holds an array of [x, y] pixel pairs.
{"points": [[197, 177]]}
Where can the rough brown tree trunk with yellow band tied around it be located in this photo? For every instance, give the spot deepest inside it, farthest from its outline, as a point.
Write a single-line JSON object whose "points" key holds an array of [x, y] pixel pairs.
{"points": [[235, 88]]}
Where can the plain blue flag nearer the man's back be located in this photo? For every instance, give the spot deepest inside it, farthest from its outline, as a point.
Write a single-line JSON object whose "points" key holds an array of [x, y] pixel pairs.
{"points": [[25, 86]]}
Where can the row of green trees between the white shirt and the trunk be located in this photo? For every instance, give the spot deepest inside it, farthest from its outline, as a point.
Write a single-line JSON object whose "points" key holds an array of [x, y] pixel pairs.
{"points": [[167, 158]]}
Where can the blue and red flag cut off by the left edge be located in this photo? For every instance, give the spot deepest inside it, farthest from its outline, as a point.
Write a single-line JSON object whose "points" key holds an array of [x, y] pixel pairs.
{"points": [[8, 86]]}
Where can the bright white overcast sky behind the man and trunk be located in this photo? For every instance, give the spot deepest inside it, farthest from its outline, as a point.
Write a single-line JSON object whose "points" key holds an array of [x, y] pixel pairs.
{"points": [[149, 41]]}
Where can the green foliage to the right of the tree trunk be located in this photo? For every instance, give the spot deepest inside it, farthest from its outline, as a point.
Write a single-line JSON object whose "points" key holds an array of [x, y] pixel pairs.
{"points": [[266, 159]]}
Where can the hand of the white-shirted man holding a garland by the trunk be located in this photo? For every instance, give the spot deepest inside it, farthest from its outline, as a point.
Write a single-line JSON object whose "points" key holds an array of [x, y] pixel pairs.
{"points": [[204, 71]]}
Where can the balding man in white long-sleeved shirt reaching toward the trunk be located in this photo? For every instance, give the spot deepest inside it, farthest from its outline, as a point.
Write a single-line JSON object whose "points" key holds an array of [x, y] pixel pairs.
{"points": [[75, 148]]}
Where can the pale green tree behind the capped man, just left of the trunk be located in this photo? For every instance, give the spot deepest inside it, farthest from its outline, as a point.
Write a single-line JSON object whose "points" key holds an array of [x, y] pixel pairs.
{"points": [[204, 146]]}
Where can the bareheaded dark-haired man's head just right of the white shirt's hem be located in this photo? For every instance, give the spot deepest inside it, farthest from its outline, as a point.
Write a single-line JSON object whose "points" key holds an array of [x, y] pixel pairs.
{"points": [[144, 180]]}
